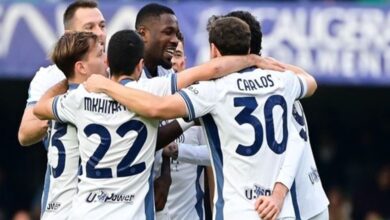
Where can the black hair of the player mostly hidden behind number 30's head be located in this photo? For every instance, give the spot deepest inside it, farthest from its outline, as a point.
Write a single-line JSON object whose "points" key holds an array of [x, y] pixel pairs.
{"points": [[254, 26]]}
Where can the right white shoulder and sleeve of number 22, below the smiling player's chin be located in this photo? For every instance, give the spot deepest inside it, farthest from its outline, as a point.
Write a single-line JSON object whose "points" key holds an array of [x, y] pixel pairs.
{"points": [[162, 85]]}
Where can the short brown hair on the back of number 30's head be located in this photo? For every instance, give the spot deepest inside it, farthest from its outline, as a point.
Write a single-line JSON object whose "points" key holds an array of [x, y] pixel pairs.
{"points": [[230, 35]]}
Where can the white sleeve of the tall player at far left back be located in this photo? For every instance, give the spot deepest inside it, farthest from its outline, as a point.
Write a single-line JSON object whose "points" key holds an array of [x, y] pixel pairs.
{"points": [[45, 78]]}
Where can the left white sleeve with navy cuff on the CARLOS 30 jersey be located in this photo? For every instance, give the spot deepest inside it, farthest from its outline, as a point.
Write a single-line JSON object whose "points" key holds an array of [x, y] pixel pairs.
{"points": [[200, 98]]}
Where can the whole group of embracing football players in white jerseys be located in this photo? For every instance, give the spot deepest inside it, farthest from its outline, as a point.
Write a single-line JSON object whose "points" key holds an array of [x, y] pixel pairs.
{"points": [[105, 133]]}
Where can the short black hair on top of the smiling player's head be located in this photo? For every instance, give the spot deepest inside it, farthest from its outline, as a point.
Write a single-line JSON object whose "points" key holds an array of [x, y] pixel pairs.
{"points": [[151, 10]]}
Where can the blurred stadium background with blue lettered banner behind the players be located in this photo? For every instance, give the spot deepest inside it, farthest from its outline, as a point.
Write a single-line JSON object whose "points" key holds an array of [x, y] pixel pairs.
{"points": [[345, 44]]}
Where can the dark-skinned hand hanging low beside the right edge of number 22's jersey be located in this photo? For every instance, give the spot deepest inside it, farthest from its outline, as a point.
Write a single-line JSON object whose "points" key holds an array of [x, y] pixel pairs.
{"points": [[161, 190]]}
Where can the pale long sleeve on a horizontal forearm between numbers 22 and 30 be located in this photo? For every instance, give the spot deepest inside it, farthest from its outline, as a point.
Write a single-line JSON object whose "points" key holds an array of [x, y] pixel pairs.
{"points": [[193, 154]]}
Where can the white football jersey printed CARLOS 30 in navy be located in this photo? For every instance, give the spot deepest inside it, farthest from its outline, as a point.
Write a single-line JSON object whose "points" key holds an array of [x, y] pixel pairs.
{"points": [[246, 120]]}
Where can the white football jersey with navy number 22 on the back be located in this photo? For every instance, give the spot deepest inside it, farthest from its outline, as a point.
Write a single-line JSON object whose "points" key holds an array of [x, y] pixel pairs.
{"points": [[117, 152]]}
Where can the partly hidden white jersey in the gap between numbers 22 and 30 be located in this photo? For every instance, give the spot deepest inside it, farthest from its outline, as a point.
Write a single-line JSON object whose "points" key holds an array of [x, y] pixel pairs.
{"points": [[186, 193]]}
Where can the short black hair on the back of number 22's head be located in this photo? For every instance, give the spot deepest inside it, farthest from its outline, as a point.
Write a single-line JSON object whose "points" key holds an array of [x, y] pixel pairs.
{"points": [[125, 50]]}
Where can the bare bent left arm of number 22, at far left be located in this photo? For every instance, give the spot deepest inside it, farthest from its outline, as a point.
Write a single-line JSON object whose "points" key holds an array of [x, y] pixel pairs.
{"points": [[44, 107]]}
